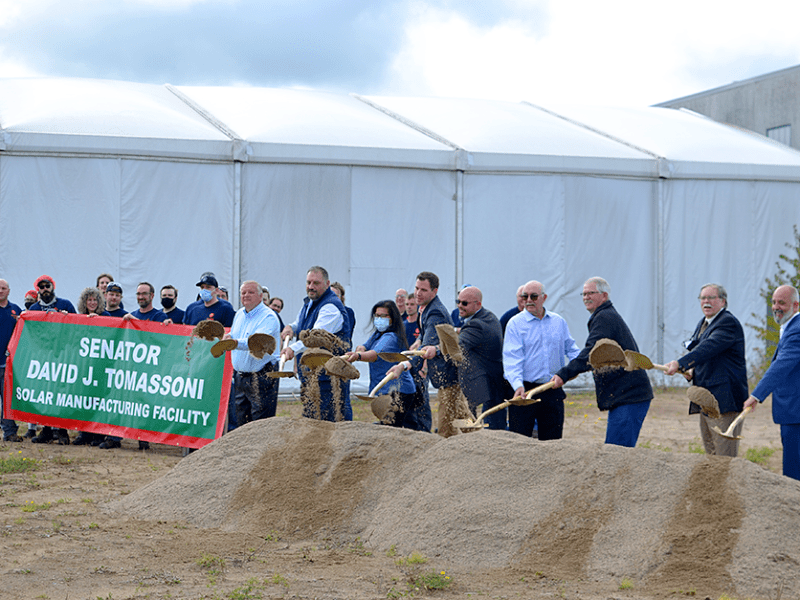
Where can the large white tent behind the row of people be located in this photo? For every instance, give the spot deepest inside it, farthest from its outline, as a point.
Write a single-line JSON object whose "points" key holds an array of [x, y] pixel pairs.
{"points": [[161, 183]]}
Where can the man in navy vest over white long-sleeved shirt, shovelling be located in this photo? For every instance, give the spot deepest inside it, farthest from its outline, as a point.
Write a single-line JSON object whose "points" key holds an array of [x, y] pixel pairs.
{"points": [[321, 310]]}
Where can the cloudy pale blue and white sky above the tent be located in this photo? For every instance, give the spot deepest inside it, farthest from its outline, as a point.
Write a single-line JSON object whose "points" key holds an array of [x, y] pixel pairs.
{"points": [[613, 52]]}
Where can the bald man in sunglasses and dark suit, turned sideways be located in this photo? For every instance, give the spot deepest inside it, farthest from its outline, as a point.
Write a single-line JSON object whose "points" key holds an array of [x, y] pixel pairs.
{"points": [[481, 371]]}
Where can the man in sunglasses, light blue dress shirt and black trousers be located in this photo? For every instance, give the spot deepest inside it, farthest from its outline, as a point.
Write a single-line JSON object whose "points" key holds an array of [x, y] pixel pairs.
{"points": [[537, 343]]}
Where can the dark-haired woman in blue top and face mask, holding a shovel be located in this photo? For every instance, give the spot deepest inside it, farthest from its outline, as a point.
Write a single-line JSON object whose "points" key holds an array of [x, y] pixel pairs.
{"points": [[389, 336]]}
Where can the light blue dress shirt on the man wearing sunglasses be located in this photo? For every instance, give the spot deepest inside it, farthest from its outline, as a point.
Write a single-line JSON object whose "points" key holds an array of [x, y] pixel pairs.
{"points": [[534, 349]]}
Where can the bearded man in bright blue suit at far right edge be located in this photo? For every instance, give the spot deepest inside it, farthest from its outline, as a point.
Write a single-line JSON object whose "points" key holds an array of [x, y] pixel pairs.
{"points": [[782, 379]]}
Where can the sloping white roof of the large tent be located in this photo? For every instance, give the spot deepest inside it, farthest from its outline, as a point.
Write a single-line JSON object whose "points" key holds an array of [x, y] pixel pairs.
{"points": [[101, 117]]}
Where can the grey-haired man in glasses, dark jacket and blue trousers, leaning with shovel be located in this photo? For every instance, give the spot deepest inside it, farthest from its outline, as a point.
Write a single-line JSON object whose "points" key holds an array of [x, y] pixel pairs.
{"points": [[625, 394]]}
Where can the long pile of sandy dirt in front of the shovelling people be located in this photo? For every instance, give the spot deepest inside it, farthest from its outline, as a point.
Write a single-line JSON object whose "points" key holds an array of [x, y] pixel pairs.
{"points": [[497, 500]]}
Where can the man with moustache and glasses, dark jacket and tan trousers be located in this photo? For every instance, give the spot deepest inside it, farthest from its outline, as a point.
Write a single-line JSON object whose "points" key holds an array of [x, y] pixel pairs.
{"points": [[716, 361]]}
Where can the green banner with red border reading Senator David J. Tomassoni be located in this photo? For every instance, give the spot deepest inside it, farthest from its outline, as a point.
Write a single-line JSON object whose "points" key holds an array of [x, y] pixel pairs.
{"points": [[135, 379]]}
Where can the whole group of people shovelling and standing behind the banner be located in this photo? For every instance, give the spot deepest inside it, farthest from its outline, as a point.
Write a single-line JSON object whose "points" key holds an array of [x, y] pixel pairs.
{"points": [[528, 347]]}
